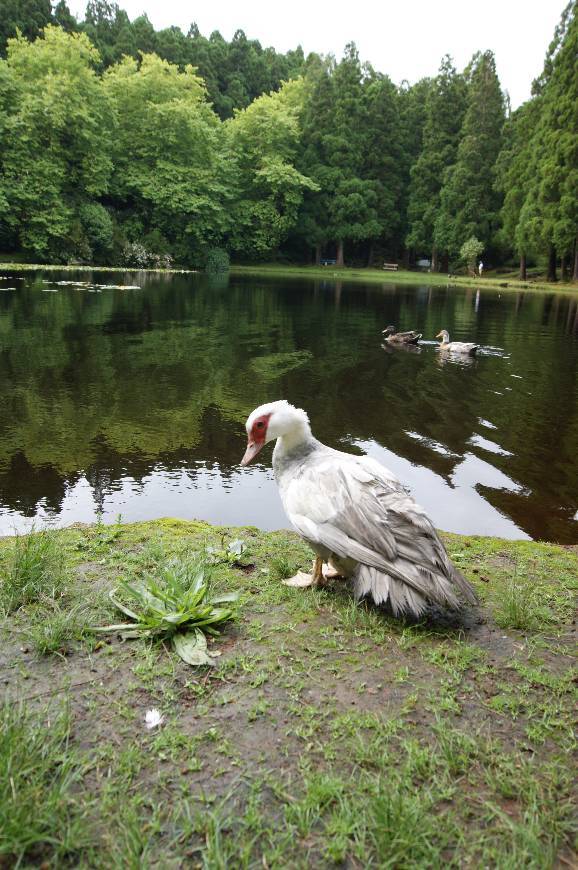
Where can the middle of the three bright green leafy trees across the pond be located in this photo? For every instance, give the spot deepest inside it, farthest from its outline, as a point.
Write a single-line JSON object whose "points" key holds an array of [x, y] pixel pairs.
{"points": [[169, 164]]}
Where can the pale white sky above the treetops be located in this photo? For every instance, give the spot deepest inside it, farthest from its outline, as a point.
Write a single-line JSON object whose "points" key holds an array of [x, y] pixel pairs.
{"points": [[405, 38]]}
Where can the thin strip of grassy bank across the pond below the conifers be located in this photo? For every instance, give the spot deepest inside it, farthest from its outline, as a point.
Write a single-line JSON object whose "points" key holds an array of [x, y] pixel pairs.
{"points": [[497, 282]]}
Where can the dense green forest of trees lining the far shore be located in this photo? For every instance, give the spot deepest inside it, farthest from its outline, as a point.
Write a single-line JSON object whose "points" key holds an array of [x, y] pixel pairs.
{"points": [[124, 145]]}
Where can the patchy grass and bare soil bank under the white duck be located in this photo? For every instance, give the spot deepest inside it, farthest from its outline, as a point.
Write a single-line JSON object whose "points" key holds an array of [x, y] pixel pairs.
{"points": [[329, 734]]}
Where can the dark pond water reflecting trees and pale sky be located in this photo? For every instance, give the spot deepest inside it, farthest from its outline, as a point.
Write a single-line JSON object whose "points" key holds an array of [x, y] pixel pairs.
{"points": [[132, 401]]}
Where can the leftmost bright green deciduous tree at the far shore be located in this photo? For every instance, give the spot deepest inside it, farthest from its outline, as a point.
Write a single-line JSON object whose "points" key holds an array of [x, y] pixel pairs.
{"points": [[56, 122]]}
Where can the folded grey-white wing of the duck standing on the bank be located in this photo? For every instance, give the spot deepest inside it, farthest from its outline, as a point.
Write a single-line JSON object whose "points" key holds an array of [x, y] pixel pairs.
{"points": [[356, 509]]}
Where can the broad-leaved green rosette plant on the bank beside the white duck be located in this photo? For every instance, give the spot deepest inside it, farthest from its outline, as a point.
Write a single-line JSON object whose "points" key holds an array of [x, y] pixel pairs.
{"points": [[176, 606]]}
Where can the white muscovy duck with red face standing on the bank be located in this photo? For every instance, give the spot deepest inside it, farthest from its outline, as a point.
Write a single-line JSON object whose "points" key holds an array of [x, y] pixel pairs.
{"points": [[356, 516]]}
